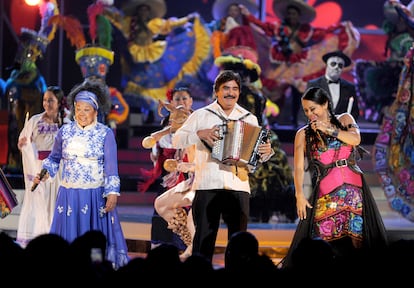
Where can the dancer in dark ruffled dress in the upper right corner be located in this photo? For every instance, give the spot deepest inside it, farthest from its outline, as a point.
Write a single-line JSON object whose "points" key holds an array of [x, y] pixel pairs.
{"points": [[377, 81]]}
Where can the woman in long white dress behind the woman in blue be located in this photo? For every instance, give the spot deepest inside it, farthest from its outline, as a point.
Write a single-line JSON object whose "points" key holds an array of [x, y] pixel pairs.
{"points": [[35, 142]]}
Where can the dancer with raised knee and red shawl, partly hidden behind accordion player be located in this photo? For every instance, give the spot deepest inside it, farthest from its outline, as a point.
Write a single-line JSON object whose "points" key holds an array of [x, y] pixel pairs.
{"points": [[165, 156]]}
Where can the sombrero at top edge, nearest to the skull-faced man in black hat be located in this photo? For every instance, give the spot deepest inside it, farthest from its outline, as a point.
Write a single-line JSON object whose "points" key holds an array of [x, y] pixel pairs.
{"points": [[307, 12]]}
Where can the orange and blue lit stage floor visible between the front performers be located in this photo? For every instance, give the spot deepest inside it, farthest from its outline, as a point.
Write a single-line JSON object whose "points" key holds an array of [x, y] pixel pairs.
{"points": [[274, 238]]}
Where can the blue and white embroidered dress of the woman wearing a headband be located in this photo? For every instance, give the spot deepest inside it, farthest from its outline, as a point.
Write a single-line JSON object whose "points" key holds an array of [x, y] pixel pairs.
{"points": [[90, 173]]}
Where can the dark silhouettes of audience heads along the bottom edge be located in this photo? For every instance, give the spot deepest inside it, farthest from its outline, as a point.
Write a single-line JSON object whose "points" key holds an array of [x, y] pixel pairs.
{"points": [[244, 262]]}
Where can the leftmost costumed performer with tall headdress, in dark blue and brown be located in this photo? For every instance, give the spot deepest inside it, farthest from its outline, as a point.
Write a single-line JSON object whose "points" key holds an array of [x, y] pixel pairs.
{"points": [[25, 87]]}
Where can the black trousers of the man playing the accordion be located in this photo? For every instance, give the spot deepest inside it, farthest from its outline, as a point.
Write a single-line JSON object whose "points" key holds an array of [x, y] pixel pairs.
{"points": [[209, 206]]}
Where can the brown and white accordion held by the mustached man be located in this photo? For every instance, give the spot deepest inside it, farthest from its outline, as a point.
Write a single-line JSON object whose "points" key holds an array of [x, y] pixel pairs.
{"points": [[239, 143]]}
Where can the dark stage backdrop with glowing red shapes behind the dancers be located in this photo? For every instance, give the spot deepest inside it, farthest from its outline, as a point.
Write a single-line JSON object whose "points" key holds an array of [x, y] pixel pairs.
{"points": [[328, 12]]}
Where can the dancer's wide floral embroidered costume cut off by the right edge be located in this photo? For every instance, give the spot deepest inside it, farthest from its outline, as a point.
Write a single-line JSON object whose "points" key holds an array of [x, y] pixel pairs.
{"points": [[393, 150]]}
